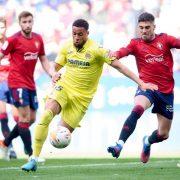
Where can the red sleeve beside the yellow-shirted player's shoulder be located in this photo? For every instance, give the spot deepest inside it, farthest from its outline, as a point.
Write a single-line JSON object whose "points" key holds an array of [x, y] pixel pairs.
{"points": [[125, 51]]}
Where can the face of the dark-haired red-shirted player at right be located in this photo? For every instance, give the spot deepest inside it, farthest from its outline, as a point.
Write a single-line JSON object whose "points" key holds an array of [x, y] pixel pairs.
{"points": [[146, 30]]}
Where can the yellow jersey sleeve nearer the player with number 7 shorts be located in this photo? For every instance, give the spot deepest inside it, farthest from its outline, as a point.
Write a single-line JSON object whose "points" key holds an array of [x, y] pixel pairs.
{"points": [[61, 57]]}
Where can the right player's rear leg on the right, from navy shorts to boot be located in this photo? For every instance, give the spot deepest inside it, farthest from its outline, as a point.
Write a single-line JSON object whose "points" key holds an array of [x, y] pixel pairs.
{"points": [[163, 107]]}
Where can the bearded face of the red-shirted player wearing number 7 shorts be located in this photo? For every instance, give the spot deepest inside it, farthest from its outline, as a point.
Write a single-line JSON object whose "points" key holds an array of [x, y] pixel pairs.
{"points": [[26, 24]]}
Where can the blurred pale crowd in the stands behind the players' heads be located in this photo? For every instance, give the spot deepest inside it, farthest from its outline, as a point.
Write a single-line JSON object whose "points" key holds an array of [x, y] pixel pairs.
{"points": [[112, 22]]}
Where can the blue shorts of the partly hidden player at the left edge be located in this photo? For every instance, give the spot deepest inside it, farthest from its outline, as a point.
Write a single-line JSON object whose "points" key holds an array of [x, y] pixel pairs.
{"points": [[4, 92]]}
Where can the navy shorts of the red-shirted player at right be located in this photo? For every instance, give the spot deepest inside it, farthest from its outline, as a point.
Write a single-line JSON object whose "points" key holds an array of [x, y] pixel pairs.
{"points": [[163, 103]]}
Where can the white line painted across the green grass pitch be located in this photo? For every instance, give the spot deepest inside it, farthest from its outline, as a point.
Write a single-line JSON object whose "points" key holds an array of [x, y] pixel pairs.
{"points": [[88, 165]]}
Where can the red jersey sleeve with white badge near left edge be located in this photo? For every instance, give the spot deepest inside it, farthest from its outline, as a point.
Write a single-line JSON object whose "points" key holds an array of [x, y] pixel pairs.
{"points": [[7, 46]]}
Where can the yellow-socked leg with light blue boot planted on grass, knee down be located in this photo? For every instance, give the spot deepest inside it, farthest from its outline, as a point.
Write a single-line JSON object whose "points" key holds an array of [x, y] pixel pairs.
{"points": [[52, 108]]}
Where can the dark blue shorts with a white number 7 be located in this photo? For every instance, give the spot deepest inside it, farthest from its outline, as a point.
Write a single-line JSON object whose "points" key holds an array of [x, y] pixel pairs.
{"points": [[24, 97]]}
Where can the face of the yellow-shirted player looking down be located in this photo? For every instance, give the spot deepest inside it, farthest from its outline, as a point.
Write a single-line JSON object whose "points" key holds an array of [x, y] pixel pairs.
{"points": [[80, 36]]}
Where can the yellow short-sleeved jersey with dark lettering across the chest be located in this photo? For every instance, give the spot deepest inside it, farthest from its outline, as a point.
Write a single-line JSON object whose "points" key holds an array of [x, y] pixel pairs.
{"points": [[83, 68]]}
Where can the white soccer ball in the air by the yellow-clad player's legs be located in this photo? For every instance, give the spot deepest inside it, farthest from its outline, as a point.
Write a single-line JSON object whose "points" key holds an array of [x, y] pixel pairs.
{"points": [[61, 137]]}
